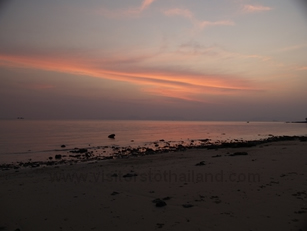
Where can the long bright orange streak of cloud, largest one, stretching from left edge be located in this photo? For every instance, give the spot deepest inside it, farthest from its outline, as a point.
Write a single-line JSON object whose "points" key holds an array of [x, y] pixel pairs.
{"points": [[187, 85]]}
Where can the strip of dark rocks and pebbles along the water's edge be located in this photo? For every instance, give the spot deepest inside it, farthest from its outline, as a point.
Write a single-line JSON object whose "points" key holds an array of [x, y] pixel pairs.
{"points": [[83, 155]]}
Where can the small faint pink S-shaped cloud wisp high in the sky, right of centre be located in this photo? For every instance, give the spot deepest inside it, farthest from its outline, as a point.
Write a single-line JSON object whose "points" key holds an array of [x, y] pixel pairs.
{"points": [[197, 23]]}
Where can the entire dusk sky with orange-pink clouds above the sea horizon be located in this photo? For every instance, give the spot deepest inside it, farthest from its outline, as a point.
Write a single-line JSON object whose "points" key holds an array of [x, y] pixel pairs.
{"points": [[153, 59]]}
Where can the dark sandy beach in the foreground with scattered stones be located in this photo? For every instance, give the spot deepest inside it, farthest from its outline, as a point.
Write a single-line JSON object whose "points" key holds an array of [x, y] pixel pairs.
{"points": [[248, 188]]}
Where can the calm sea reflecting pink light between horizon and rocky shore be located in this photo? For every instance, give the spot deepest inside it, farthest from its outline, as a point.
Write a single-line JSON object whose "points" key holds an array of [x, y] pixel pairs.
{"points": [[21, 140]]}
